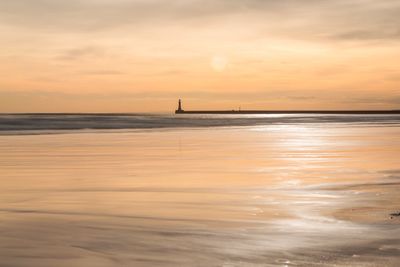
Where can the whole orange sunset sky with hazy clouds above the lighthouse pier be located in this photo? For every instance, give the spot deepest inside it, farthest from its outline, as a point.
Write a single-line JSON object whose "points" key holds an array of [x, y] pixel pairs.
{"points": [[142, 55]]}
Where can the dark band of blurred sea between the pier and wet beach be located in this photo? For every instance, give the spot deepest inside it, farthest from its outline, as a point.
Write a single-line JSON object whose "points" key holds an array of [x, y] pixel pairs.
{"points": [[19, 123]]}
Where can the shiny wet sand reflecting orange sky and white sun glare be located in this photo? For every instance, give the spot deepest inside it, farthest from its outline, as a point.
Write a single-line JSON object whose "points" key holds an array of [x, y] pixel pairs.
{"points": [[279, 195]]}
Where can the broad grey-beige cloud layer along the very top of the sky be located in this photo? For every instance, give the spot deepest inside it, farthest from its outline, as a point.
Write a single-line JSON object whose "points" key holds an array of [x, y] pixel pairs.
{"points": [[306, 19]]}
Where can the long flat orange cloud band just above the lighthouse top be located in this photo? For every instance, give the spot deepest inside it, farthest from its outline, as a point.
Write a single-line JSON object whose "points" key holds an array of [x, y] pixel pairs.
{"points": [[343, 96]]}
